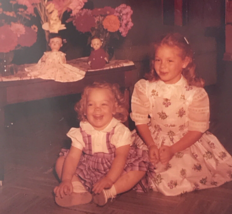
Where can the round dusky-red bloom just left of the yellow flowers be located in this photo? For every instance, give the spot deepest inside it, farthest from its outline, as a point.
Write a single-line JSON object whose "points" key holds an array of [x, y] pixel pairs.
{"points": [[27, 39]]}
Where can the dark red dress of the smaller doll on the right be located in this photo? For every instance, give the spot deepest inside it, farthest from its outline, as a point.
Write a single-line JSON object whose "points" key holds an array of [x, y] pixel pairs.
{"points": [[97, 58]]}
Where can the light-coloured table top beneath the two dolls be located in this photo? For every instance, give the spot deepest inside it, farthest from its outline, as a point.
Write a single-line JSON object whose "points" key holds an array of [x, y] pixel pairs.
{"points": [[80, 63]]}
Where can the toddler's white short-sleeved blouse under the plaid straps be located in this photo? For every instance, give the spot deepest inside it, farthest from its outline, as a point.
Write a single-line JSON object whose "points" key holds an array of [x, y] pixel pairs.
{"points": [[121, 136]]}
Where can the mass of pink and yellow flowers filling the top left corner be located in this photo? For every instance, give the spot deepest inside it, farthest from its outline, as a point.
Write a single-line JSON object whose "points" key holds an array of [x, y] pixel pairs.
{"points": [[16, 30]]}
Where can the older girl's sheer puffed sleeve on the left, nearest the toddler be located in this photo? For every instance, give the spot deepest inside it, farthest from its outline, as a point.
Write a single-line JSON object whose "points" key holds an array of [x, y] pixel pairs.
{"points": [[140, 105]]}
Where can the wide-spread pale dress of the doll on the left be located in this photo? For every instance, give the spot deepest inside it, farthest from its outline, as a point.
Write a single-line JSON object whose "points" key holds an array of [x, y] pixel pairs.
{"points": [[54, 69]]}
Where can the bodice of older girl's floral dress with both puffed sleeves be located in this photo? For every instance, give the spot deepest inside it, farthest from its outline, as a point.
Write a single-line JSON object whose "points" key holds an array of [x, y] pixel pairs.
{"points": [[170, 105]]}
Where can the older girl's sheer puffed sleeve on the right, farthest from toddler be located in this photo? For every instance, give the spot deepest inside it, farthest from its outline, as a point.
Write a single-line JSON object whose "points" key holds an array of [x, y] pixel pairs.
{"points": [[199, 111]]}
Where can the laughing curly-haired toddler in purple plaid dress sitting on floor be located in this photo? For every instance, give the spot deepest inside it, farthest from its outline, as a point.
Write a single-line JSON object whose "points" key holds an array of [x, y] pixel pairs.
{"points": [[100, 160]]}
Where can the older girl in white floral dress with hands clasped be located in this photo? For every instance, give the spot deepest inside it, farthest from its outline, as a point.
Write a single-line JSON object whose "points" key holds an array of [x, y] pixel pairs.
{"points": [[171, 113]]}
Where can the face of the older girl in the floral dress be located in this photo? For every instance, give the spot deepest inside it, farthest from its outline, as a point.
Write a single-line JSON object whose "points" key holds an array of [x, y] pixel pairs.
{"points": [[169, 63]]}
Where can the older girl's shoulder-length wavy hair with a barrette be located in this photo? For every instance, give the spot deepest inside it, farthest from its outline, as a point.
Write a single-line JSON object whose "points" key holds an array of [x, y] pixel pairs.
{"points": [[177, 40]]}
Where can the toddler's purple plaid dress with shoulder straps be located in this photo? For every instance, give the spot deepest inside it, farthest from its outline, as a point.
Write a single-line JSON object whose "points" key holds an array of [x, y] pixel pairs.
{"points": [[93, 166]]}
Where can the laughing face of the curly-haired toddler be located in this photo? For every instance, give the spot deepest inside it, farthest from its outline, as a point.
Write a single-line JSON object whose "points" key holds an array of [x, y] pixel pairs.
{"points": [[100, 108]]}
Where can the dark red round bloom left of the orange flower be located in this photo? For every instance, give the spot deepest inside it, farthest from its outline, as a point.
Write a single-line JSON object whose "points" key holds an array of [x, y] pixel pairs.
{"points": [[84, 22]]}
